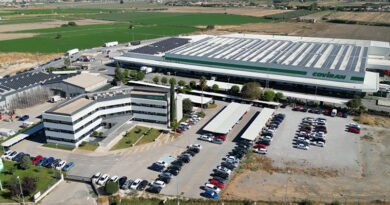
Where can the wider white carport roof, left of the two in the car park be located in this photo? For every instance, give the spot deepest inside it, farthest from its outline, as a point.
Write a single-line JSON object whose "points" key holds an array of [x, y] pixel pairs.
{"points": [[228, 117]]}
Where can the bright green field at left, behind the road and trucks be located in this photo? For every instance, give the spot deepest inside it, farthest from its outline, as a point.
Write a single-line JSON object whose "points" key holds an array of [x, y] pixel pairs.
{"points": [[88, 36]]}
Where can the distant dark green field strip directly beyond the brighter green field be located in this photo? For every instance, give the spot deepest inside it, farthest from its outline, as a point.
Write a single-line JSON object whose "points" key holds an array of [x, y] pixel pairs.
{"points": [[178, 19]]}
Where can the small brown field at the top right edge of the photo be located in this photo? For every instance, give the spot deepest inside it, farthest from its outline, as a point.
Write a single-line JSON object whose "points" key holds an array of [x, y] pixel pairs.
{"points": [[362, 16]]}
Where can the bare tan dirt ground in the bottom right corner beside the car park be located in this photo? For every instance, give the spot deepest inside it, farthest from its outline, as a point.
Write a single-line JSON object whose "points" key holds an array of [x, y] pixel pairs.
{"points": [[272, 182]]}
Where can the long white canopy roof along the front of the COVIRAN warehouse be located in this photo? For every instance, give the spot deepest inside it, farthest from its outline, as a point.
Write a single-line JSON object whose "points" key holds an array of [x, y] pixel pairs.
{"points": [[369, 85]]}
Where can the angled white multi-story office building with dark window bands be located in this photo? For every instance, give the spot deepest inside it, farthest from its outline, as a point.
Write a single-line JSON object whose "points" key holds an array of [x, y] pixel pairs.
{"points": [[73, 121]]}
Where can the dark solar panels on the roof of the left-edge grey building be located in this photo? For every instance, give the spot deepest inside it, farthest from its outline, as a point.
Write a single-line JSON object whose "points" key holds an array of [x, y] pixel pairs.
{"points": [[22, 80]]}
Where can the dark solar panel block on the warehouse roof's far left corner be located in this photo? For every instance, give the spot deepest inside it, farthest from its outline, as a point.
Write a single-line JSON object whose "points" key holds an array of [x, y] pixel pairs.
{"points": [[161, 46]]}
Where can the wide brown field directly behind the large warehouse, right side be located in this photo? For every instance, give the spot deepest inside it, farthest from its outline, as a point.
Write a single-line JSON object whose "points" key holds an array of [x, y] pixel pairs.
{"points": [[322, 29]]}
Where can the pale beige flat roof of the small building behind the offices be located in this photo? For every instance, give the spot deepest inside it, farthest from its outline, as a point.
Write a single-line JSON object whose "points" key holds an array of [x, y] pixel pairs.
{"points": [[85, 80]]}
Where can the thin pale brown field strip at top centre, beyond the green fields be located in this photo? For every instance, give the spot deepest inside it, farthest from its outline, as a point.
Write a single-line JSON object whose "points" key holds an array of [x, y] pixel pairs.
{"points": [[239, 11]]}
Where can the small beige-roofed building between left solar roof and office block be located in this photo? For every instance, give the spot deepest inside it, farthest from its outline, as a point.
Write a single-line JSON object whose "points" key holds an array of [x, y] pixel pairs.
{"points": [[77, 84]]}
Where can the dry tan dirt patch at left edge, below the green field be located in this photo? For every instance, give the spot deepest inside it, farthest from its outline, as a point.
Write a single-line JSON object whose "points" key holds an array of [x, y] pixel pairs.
{"points": [[11, 63]]}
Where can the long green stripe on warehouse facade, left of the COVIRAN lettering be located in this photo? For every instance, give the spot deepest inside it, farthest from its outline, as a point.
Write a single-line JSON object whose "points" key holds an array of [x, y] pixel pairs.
{"points": [[237, 66]]}
